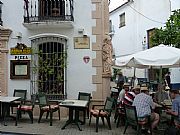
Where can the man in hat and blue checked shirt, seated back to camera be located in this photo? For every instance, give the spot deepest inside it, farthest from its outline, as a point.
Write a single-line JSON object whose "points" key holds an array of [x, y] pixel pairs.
{"points": [[144, 103]]}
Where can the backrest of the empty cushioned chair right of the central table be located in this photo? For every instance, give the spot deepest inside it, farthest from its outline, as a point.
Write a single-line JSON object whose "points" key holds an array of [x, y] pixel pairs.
{"points": [[109, 105]]}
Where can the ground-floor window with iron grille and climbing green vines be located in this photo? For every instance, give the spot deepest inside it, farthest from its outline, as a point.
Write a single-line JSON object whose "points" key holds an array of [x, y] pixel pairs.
{"points": [[48, 69]]}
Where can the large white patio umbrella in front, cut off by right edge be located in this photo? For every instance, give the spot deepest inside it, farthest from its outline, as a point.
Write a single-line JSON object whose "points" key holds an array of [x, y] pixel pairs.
{"points": [[159, 56]]}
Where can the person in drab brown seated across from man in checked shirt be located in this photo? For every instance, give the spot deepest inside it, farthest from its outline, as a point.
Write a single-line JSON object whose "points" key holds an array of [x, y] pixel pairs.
{"points": [[161, 94]]}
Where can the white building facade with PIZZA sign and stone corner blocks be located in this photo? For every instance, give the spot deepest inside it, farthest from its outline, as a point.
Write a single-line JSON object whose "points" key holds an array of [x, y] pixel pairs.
{"points": [[76, 28]]}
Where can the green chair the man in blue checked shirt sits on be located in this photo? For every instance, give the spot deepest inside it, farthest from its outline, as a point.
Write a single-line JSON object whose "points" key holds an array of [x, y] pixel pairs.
{"points": [[133, 120]]}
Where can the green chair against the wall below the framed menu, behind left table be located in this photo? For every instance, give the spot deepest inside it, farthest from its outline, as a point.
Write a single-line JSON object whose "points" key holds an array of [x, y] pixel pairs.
{"points": [[18, 93]]}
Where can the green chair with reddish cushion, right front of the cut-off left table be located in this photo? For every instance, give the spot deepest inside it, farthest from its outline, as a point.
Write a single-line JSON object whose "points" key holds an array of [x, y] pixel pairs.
{"points": [[26, 106]]}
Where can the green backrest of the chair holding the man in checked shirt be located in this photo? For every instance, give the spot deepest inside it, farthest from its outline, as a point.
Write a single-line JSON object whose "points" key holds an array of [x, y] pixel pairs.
{"points": [[131, 114]]}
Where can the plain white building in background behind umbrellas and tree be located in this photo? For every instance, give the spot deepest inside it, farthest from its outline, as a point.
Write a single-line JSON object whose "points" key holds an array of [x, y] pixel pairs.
{"points": [[132, 24]]}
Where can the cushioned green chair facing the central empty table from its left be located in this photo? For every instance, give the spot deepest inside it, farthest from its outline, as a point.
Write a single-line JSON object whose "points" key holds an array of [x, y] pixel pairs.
{"points": [[46, 106]]}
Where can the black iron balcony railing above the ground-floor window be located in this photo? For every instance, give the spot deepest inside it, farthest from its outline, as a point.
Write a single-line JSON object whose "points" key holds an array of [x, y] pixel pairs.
{"points": [[48, 10]]}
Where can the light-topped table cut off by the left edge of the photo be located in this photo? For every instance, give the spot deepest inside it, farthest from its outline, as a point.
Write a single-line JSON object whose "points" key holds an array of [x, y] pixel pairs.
{"points": [[5, 105]]}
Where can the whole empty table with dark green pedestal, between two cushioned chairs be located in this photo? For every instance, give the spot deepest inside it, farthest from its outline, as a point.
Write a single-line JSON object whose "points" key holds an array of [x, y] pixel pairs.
{"points": [[73, 105]]}
